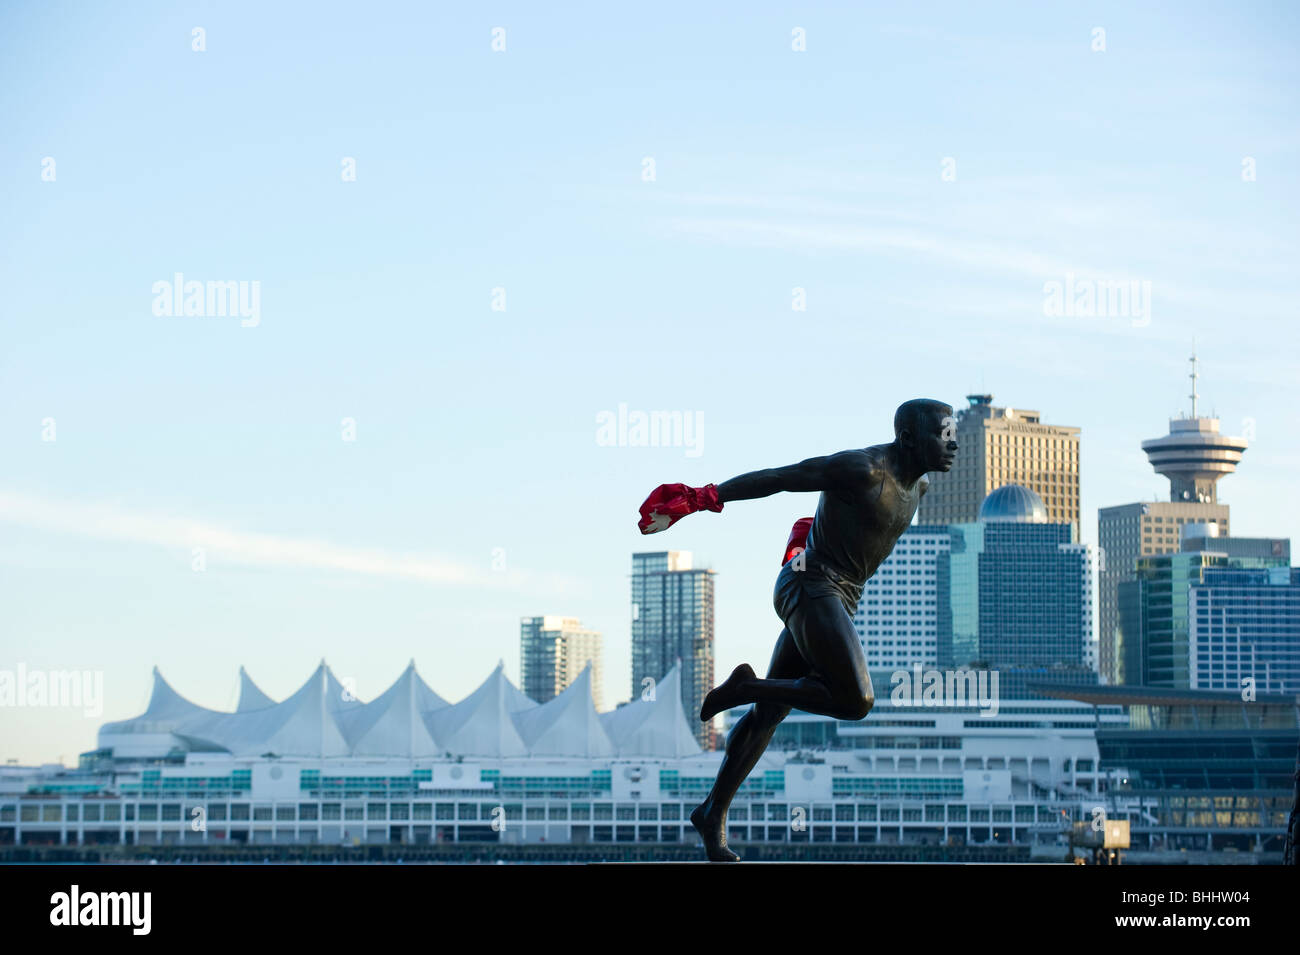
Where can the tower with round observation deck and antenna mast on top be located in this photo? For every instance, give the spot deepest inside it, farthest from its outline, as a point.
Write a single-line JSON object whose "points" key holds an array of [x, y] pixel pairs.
{"points": [[1194, 457]]}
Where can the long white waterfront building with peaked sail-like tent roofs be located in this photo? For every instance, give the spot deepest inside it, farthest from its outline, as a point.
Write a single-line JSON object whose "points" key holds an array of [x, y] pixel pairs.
{"points": [[409, 769]]}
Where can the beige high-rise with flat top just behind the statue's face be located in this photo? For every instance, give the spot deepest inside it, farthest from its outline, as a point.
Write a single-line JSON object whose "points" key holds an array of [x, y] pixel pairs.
{"points": [[1006, 446]]}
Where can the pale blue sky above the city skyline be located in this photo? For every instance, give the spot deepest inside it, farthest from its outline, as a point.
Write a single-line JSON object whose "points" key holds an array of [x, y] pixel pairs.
{"points": [[523, 170]]}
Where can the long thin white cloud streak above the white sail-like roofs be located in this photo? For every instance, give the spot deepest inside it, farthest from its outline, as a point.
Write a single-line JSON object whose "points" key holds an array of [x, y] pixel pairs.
{"points": [[232, 545]]}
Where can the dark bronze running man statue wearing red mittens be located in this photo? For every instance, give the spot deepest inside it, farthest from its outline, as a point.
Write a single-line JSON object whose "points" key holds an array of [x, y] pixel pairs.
{"points": [[869, 500]]}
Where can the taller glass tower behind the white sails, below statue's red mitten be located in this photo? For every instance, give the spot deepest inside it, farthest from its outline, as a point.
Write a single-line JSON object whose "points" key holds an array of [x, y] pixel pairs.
{"points": [[673, 619]]}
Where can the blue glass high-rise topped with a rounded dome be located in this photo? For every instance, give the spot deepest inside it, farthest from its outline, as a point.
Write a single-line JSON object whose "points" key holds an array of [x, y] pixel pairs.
{"points": [[1015, 593]]}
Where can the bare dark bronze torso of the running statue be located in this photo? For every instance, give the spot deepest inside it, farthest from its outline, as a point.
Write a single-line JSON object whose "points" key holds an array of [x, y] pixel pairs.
{"points": [[859, 524]]}
